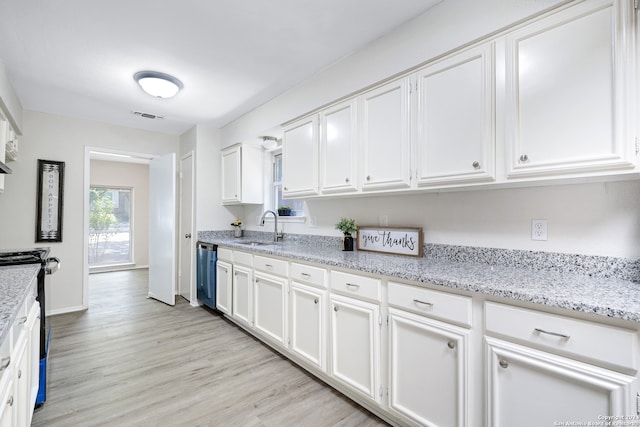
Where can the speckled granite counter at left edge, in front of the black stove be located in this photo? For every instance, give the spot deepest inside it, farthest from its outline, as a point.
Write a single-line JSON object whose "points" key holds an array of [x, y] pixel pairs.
{"points": [[15, 282]]}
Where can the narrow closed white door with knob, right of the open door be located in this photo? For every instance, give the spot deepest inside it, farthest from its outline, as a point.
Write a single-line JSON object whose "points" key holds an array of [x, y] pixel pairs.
{"points": [[186, 228]]}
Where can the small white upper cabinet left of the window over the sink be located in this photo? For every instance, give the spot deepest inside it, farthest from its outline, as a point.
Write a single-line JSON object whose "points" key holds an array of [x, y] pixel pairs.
{"points": [[242, 174]]}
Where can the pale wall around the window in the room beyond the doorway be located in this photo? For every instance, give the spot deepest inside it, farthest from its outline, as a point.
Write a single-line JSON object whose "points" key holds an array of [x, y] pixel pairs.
{"points": [[135, 176]]}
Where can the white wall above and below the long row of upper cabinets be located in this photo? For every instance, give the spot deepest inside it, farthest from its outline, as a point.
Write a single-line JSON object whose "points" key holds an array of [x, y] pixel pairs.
{"points": [[594, 219]]}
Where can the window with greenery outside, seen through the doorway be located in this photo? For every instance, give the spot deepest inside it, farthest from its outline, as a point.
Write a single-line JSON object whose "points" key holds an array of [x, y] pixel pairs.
{"points": [[109, 226]]}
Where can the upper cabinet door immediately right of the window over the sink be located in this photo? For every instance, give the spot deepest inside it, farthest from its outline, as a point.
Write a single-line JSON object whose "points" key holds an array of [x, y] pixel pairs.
{"points": [[300, 158]]}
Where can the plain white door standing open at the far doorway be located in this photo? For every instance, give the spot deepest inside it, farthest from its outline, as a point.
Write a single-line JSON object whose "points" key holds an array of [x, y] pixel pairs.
{"points": [[162, 228]]}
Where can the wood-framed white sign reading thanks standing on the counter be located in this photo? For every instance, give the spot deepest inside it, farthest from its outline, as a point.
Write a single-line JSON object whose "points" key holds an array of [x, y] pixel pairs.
{"points": [[392, 240]]}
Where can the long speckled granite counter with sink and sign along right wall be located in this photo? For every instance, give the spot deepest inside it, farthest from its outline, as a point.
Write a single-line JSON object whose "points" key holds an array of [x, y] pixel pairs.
{"points": [[601, 285]]}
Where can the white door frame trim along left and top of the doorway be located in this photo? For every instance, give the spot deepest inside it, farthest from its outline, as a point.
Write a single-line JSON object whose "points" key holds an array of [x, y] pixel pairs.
{"points": [[87, 184]]}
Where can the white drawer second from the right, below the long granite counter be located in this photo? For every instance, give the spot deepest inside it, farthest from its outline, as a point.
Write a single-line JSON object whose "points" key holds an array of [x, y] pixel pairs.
{"points": [[427, 302]]}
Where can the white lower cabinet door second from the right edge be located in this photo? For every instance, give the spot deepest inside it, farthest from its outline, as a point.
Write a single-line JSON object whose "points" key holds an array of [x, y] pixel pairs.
{"points": [[428, 370]]}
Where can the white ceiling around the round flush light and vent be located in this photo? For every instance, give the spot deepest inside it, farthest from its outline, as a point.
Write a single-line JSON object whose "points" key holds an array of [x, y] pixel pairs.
{"points": [[77, 57]]}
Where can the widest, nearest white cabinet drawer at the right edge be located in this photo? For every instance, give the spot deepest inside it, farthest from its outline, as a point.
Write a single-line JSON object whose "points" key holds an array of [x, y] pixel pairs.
{"points": [[603, 343]]}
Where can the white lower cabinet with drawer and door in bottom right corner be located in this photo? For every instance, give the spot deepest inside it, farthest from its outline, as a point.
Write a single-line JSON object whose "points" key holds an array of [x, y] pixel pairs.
{"points": [[545, 369]]}
